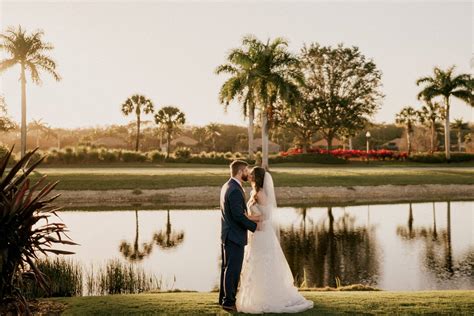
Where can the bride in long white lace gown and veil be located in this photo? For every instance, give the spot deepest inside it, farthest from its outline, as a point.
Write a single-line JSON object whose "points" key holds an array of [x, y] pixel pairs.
{"points": [[266, 284]]}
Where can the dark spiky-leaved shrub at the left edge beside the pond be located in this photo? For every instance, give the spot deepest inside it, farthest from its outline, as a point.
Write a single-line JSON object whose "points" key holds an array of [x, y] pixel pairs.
{"points": [[26, 227]]}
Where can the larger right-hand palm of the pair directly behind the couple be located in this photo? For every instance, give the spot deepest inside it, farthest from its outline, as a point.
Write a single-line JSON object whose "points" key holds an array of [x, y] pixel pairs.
{"points": [[269, 78]]}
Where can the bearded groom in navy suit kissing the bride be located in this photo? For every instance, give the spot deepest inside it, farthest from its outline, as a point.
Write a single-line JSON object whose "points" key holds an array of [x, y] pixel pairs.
{"points": [[234, 227]]}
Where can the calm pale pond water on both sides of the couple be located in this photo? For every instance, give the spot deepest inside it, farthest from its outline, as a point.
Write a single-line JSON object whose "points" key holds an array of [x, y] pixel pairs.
{"points": [[393, 247]]}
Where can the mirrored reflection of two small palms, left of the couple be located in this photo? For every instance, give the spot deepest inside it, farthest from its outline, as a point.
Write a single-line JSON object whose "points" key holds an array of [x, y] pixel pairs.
{"points": [[166, 239]]}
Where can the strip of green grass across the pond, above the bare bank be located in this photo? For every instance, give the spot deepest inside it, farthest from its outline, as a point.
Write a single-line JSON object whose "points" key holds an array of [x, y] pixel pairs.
{"points": [[111, 178]]}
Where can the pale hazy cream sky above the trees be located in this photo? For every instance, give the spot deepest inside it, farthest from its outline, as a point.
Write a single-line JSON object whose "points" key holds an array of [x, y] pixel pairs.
{"points": [[168, 50]]}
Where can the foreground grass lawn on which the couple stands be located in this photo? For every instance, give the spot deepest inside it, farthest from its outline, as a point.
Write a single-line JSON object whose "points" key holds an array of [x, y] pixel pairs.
{"points": [[325, 303]]}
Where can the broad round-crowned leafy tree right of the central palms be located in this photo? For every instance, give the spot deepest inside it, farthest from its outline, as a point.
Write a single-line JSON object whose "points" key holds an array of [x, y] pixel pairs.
{"points": [[343, 86]]}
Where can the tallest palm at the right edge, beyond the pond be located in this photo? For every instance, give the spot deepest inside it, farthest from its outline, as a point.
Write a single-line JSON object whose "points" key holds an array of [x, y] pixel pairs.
{"points": [[445, 84]]}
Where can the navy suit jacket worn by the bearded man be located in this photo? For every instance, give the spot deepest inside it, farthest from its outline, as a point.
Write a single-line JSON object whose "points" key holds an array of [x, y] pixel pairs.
{"points": [[234, 223]]}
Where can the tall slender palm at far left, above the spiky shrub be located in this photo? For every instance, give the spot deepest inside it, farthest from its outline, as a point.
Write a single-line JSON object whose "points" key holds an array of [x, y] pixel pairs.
{"points": [[29, 51]]}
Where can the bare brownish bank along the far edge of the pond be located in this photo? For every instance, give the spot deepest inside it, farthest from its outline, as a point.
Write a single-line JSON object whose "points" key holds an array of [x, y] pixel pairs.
{"points": [[208, 196]]}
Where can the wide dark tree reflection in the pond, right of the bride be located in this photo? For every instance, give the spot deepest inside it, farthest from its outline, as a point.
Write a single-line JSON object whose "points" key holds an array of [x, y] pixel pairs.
{"points": [[332, 248]]}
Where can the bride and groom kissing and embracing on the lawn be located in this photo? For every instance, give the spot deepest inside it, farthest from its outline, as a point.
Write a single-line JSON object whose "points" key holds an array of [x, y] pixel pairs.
{"points": [[255, 276]]}
